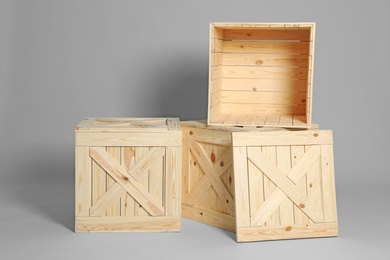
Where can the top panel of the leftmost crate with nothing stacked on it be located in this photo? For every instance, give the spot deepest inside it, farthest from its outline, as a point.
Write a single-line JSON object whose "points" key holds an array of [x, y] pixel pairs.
{"points": [[128, 125]]}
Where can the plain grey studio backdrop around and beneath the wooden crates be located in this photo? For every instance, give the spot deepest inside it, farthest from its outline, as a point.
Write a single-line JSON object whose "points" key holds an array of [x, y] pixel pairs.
{"points": [[64, 60]]}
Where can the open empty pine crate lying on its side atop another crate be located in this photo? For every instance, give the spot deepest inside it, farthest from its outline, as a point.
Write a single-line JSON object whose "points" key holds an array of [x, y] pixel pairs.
{"points": [[261, 74]]}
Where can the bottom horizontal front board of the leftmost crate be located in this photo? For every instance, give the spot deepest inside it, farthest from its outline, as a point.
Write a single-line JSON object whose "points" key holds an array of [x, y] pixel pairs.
{"points": [[128, 224]]}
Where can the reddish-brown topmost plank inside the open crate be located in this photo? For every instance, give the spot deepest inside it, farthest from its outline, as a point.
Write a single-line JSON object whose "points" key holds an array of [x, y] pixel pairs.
{"points": [[251, 34]]}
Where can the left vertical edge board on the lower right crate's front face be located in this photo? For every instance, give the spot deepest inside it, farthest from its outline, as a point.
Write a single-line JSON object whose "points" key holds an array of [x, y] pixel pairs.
{"points": [[241, 192]]}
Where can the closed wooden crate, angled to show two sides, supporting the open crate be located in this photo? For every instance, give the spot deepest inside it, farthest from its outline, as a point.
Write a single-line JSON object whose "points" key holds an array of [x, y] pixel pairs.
{"points": [[263, 184]]}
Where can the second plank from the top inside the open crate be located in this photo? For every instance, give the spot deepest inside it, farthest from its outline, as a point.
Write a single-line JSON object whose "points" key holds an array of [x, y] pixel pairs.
{"points": [[265, 47]]}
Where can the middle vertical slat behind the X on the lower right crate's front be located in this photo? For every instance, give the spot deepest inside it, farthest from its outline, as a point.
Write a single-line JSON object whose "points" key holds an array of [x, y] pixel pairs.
{"points": [[284, 164]]}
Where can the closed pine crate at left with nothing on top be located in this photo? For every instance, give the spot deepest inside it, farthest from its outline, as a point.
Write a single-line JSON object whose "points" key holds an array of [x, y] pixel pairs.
{"points": [[128, 174]]}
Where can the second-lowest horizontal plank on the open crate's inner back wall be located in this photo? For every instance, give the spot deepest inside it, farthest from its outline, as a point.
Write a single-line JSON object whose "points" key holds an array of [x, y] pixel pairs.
{"points": [[281, 98]]}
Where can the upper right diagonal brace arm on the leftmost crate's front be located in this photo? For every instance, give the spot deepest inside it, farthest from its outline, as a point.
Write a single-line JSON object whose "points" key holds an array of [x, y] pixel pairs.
{"points": [[146, 161]]}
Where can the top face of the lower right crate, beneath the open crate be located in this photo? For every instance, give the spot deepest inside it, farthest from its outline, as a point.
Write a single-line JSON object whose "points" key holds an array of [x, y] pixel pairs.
{"points": [[202, 124]]}
